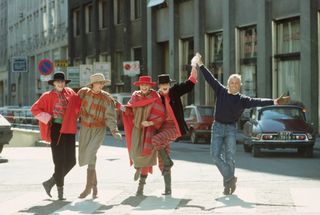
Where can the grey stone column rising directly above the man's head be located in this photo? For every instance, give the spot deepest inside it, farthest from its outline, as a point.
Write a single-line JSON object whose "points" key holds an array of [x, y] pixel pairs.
{"points": [[228, 39]]}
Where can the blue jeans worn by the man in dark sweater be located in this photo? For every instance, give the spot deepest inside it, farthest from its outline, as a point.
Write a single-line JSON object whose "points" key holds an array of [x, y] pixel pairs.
{"points": [[223, 149]]}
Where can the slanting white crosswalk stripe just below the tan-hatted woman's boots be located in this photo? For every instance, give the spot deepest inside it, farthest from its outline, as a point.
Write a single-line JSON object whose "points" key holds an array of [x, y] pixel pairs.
{"points": [[86, 206]]}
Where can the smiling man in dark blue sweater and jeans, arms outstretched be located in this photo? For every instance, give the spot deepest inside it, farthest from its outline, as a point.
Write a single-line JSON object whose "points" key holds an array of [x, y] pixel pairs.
{"points": [[229, 106]]}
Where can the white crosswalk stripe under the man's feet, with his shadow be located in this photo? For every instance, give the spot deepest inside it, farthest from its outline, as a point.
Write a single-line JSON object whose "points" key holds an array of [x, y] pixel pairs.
{"points": [[243, 201]]}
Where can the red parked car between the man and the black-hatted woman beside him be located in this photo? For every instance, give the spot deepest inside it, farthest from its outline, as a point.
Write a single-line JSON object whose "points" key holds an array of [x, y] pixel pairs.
{"points": [[199, 119]]}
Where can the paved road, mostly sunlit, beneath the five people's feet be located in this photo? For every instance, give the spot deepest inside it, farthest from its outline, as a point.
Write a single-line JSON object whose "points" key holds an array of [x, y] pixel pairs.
{"points": [[277, 183]]}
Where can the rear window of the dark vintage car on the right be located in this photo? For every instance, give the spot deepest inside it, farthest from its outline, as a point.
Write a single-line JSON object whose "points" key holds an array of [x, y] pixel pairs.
{"points": [[281, 113]]}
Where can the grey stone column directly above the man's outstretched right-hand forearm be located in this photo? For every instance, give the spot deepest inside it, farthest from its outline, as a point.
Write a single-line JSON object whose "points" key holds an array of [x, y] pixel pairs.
{"points": [[264, 49]]}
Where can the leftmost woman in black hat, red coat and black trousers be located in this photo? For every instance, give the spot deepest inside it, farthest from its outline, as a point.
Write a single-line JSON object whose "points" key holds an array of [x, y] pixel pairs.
{"points": [[57, 111]]}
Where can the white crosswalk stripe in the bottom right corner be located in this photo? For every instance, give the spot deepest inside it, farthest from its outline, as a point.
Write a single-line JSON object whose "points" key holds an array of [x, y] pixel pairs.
{"points": [[306, 199]]}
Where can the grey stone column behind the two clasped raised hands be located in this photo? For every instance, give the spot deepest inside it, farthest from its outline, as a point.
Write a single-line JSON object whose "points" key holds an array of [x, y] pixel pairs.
{"points": [[199, 47]]}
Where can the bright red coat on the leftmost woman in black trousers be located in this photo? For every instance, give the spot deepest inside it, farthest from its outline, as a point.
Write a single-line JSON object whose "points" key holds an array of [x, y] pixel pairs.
{"points": [[46, 104]]}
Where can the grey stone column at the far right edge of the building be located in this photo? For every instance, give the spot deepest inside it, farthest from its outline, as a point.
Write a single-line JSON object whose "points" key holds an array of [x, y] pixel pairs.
{"points": [[309, 59]]}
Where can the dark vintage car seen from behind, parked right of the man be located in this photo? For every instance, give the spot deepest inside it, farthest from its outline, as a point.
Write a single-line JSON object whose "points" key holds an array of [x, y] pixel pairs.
{"points": [[275, 127]]}
